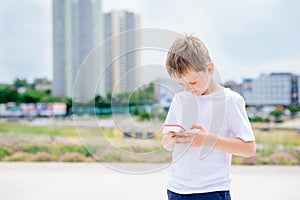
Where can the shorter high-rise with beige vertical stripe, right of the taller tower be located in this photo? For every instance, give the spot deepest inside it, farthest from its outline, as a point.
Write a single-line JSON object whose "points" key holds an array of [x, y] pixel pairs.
{"points": [[122, 57]]}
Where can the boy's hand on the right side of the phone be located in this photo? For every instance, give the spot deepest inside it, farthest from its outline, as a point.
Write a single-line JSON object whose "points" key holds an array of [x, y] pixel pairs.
{"points": [[194, 137]]}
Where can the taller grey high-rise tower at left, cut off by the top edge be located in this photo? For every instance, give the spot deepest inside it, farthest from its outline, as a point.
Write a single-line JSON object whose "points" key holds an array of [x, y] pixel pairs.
{"points": [[77, 29]]}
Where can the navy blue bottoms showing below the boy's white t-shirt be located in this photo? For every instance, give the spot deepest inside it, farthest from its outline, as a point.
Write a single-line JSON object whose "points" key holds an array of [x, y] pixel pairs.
{"points": [[220, 195]]}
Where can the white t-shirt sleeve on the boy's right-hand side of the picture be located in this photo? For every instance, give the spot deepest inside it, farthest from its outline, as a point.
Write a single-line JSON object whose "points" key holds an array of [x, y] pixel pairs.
{"points": [[239, 124]]}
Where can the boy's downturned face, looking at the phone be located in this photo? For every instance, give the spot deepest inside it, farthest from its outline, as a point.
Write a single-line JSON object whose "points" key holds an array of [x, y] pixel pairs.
{"points": [[196, 82]]}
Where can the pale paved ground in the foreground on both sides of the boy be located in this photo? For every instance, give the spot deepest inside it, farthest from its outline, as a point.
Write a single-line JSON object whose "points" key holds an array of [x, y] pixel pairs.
{"points": [[64, 181]]}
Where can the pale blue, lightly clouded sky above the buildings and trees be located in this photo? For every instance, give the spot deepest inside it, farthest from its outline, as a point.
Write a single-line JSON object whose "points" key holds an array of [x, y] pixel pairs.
{"points": [[244, 37]]}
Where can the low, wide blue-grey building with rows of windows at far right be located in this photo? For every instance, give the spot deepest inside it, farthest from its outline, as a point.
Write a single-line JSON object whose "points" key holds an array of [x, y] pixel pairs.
{"points": [[272, 89]]}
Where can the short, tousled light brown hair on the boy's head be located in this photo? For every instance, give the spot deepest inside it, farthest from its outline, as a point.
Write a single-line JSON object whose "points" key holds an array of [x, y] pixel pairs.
{"points": [[185, 54]]}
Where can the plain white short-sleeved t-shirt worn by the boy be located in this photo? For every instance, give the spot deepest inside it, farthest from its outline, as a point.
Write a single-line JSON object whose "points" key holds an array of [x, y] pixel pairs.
{"points": [[204, 169]]}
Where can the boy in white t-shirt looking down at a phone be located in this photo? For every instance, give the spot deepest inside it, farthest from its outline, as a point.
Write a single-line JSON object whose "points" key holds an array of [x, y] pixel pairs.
{"points": [[215, 121]]}
